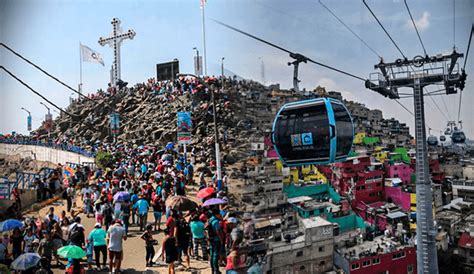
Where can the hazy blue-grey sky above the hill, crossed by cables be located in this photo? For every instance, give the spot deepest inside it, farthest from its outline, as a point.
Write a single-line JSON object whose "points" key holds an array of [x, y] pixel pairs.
{"points": [[49, 31]]}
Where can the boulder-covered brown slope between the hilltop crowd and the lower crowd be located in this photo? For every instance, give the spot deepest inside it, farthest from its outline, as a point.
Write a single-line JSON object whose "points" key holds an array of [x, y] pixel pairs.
{"points": [[149, 119]]}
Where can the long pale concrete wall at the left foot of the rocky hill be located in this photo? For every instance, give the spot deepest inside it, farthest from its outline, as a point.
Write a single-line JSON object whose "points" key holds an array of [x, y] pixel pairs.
{"points": [[41, 153]]}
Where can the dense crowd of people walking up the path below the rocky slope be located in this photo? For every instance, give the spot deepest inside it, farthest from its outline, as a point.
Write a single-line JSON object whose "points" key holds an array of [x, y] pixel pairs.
{"points": [[140, 180]]}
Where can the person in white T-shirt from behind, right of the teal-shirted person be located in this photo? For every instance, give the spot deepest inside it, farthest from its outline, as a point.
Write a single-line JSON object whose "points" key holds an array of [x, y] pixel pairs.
{"points": [[115, 237]]}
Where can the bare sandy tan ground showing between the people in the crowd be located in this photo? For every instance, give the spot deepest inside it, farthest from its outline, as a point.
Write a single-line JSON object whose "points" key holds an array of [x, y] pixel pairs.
{"points": [[134, 247]]}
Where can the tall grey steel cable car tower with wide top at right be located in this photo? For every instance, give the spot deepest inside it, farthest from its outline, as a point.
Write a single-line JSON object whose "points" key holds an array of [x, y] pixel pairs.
{"points": [[416, 74]]}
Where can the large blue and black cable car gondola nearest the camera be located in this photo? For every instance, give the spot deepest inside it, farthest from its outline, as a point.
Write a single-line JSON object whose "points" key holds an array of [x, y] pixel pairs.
{"points": [[315, 131]]}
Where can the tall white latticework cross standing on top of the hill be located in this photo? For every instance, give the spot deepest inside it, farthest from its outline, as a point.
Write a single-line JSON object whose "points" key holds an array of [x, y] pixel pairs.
{"points": [[114, 41]]}
